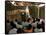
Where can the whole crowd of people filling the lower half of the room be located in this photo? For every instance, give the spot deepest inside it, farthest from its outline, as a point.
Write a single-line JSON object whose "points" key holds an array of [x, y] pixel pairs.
{"points": [[30, 25]]}
